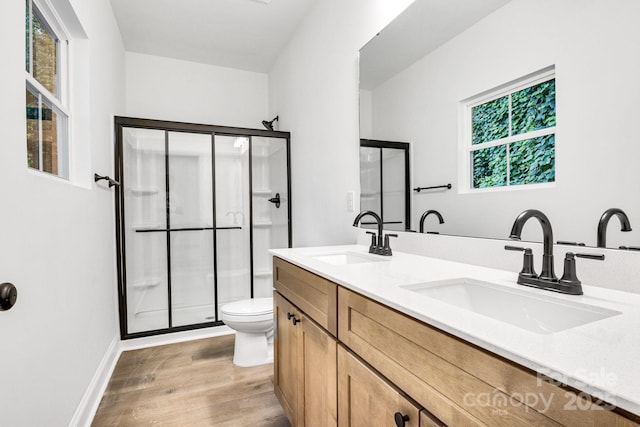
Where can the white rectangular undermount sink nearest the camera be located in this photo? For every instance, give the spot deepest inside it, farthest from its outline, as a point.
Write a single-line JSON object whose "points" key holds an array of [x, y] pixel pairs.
{"points": [[537, 313]]}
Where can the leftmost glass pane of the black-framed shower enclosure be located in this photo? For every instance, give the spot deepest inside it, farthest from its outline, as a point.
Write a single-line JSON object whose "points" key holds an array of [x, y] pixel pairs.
{"points": [[144, 190]]}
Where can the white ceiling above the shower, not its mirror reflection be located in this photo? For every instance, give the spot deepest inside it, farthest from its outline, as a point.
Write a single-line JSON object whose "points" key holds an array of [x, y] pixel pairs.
{"points": [[242, 34]]}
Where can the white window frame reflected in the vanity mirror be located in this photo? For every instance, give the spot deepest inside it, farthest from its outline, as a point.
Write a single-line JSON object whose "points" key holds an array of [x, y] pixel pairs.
{"points": [[467, 148]]}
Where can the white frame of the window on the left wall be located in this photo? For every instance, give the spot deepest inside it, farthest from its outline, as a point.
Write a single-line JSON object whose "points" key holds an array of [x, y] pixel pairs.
{"points": [[59, 101]]}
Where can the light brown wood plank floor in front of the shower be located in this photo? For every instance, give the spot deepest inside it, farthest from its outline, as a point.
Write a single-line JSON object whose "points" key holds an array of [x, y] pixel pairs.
{"points": [[189, 384]]}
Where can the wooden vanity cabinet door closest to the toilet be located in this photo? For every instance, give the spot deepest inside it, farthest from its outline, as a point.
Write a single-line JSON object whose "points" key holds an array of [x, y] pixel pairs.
{"points": [[285, 356]]}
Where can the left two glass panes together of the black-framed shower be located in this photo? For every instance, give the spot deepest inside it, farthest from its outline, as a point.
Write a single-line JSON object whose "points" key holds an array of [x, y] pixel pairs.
{"points": [[168, 226]]}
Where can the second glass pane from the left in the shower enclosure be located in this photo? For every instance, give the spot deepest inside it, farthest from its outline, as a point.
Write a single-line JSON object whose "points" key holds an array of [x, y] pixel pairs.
{"points": [[190, 223]]}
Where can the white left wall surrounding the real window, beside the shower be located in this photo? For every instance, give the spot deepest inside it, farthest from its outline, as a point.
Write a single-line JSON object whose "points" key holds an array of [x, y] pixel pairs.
{"points": [[57, 239]]}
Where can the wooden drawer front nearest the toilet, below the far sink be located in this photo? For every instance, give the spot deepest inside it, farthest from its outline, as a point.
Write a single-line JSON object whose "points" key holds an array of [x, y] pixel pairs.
{"points": [[312, 294]]}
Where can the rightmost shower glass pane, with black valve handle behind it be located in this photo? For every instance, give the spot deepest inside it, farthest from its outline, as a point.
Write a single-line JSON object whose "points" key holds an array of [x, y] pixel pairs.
{"points": [[270, 207]]}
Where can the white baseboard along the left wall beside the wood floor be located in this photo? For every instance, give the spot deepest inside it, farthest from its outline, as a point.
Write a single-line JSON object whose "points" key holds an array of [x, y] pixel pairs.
{"points": [[88, 406]]}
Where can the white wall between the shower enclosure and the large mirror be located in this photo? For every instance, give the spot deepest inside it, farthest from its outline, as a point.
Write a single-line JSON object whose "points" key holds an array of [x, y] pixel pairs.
{"points": [[313, 87]]}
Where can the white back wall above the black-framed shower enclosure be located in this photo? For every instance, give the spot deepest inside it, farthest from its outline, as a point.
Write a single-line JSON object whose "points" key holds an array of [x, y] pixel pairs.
{"points": [[170, 89]]}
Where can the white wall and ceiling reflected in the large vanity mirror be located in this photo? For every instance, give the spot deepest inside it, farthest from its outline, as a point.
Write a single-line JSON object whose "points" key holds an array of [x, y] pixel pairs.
{"points": [[417, 75]]}
